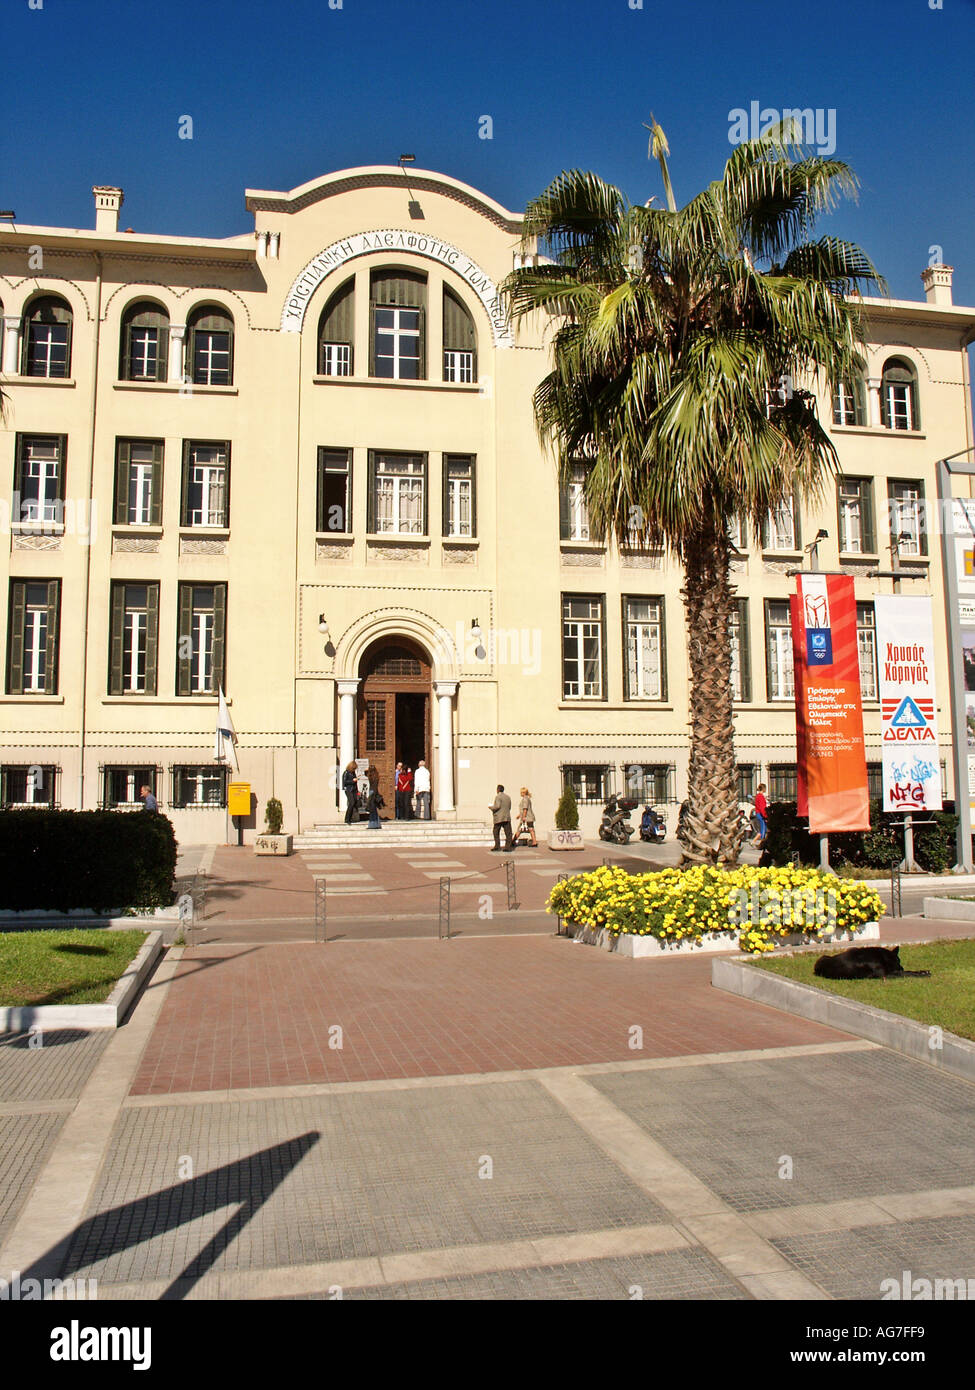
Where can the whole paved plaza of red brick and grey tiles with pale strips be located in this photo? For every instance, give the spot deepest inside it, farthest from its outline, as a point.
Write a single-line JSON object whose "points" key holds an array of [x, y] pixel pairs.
{"points": [[496, 1117]]}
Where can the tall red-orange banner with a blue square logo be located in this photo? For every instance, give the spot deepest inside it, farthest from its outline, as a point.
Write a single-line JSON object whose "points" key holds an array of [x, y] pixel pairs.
{"points": [[830, 721]]}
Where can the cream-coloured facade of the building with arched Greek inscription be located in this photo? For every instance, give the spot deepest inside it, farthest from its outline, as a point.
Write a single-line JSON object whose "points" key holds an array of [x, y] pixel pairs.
{"points": [[482, 712]]}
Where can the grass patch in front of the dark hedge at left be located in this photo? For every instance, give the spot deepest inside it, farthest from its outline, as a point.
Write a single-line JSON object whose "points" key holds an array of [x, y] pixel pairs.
{"points": [[67, 967]]}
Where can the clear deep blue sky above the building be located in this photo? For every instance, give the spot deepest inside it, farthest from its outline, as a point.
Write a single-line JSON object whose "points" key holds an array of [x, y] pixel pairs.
{"points": [[283, 92]]}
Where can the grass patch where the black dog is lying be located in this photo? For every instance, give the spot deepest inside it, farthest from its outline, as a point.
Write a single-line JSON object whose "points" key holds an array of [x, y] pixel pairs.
{"points": [[946, 1000]]}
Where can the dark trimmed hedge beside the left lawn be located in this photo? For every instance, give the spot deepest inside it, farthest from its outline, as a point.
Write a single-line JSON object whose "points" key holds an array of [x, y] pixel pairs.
{"points": [[86, 860]]}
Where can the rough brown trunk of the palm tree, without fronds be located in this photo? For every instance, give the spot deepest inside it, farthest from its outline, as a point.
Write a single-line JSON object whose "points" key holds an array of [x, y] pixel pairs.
{"points": [[713, 832]]}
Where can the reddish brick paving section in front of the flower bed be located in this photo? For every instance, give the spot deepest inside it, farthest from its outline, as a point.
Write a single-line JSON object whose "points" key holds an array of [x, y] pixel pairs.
{"points": [[241, 1017]]}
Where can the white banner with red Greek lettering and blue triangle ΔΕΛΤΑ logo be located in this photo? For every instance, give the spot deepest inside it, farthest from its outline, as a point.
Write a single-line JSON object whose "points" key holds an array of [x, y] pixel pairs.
{"points": [[909, 715]]}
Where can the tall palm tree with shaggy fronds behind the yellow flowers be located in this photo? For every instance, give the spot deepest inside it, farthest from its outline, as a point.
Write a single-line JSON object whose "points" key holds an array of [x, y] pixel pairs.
{"points": [[677, 340]]}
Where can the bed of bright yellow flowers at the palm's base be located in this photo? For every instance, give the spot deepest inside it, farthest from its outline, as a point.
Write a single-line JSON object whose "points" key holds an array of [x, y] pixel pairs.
{"points": [[762, 906]]}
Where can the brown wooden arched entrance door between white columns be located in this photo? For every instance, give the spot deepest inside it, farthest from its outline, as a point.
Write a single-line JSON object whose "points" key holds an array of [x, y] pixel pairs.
{"points": [[394, 708]]}
